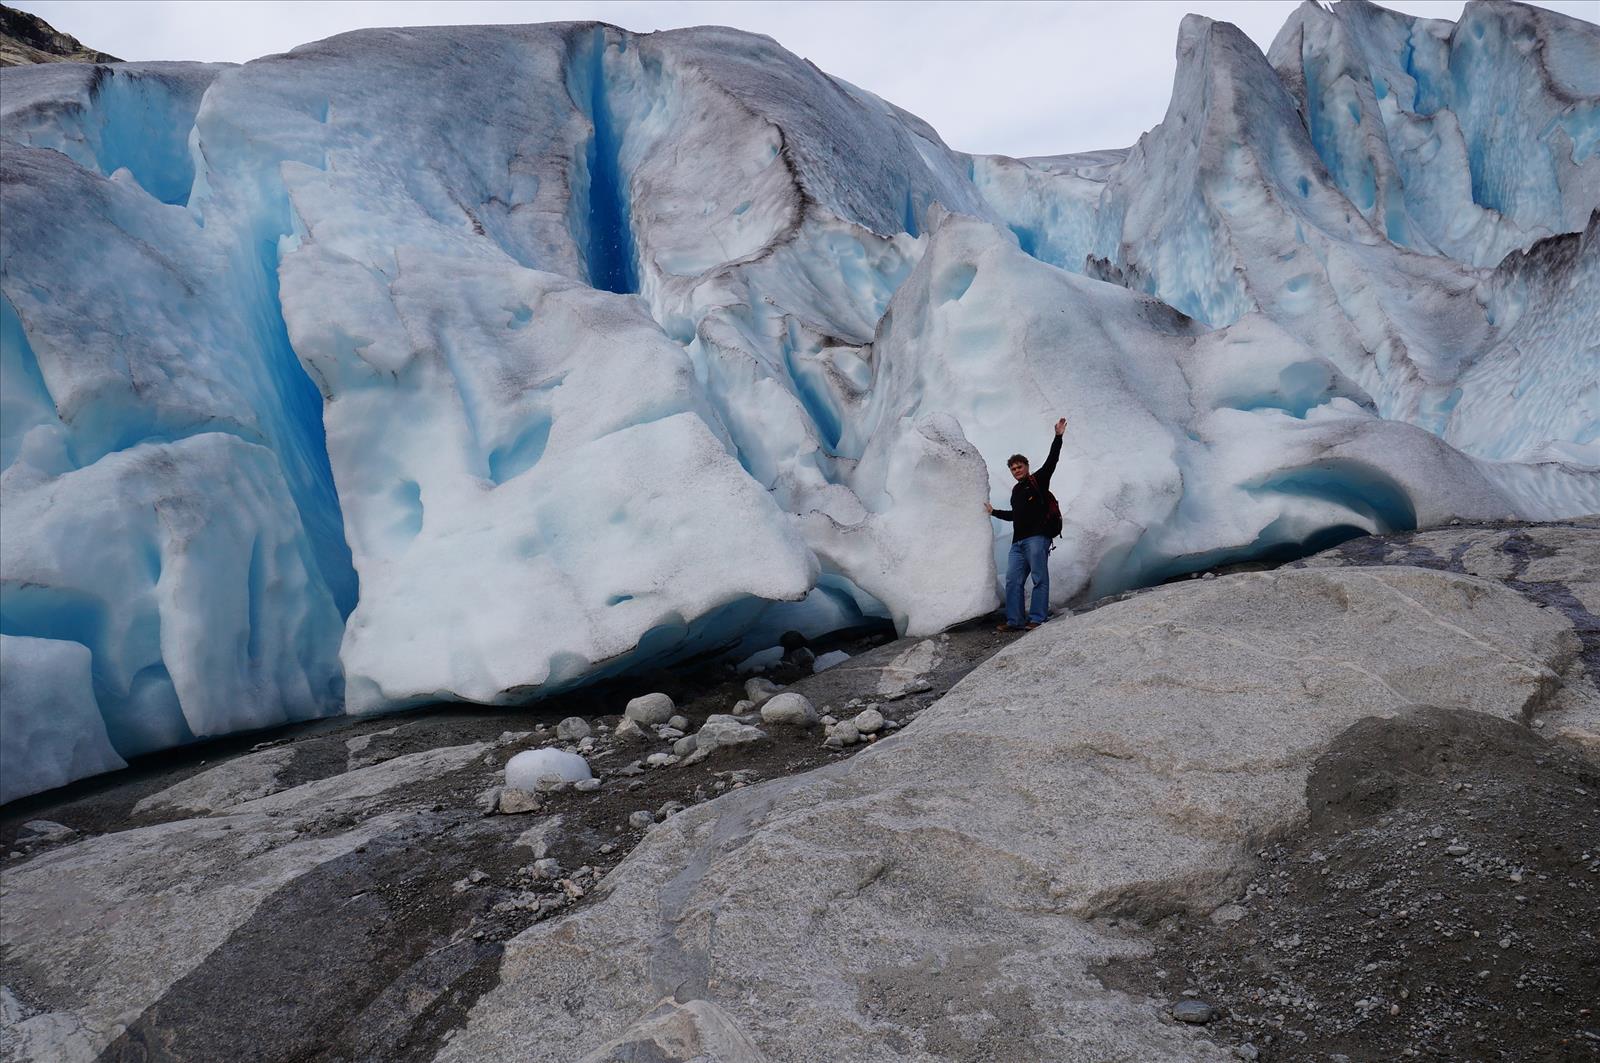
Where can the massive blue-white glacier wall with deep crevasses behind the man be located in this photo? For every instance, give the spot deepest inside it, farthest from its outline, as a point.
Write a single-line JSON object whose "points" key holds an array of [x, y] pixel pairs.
{"points": [[479, 363]]}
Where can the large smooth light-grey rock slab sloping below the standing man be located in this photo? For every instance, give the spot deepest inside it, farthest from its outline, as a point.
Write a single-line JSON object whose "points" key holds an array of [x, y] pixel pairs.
{"points": [[1130, 763]]}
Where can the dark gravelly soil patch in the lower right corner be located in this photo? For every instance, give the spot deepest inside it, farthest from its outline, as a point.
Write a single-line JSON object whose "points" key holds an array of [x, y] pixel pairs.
{"points": [[1442, 904]]}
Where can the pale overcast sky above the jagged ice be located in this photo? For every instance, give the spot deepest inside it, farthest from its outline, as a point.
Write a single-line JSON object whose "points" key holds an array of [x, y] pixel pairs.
{"points": [[1015, 79]]}
